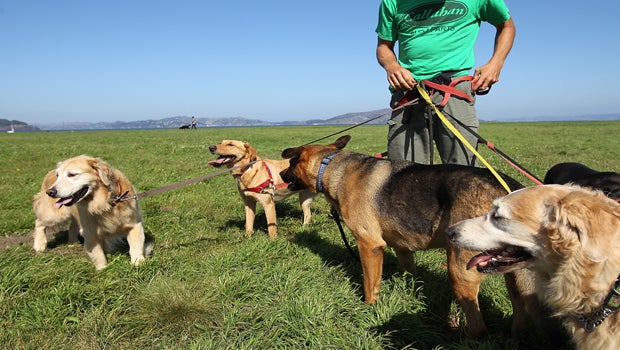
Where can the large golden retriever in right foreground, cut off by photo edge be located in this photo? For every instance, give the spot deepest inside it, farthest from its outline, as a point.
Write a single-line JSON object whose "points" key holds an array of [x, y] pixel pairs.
{"points": [[568, 235]]}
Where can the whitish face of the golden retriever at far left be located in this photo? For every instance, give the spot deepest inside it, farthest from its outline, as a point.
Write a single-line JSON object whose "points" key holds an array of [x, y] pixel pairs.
{"points": [[76, 178]]}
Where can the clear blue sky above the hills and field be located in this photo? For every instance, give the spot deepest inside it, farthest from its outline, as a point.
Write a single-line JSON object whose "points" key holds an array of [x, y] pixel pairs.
{"points": [[89, 60]]}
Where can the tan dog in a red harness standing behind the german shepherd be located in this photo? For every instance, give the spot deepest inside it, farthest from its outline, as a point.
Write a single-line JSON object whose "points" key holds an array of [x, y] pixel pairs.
{"points": [[259, 182]]}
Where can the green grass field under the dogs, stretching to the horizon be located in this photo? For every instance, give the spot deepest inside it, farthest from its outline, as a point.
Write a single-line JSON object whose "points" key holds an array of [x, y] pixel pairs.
{"points": [[208, 287]]}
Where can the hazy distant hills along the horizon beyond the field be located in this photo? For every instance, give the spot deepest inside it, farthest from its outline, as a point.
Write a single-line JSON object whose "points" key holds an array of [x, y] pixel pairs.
{"points": [[379, 116]]}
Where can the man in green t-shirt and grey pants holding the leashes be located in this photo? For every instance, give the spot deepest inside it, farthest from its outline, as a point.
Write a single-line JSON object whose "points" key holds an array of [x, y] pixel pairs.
{"points": [[436, 41]]}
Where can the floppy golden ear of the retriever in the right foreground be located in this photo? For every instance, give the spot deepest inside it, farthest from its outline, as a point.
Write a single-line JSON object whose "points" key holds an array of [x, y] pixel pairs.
{"points": [[585, 218]]}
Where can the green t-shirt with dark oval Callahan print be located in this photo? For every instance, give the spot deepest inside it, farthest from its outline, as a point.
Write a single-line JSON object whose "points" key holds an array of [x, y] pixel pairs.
{"points": [[437, 36]]}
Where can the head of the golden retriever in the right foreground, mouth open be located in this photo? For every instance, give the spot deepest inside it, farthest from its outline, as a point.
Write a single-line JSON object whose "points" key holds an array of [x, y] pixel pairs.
{"points": [[540, 227]]}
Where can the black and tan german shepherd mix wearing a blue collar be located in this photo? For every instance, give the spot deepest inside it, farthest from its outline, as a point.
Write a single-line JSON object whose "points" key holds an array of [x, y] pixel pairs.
{"points": [[407, 207]]}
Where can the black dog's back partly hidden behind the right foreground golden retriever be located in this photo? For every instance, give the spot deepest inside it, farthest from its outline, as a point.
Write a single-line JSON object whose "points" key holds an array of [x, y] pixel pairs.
{"points": [[579, 174]]}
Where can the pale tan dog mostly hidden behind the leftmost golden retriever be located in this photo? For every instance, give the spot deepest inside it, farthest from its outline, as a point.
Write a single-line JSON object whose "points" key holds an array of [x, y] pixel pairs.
{"points": [[51, 220]]}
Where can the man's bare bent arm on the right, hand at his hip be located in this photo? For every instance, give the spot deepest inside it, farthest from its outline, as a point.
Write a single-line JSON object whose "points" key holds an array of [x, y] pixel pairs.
{"points": [[488, 74]]}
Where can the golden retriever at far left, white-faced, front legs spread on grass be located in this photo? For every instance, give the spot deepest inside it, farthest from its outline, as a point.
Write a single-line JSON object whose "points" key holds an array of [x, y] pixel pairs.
{"points": [[107, 214]]}
